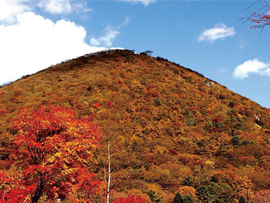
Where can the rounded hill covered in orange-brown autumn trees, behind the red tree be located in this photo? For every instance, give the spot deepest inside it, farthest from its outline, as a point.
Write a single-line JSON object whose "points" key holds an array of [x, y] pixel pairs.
{"points": [[171, 129]]}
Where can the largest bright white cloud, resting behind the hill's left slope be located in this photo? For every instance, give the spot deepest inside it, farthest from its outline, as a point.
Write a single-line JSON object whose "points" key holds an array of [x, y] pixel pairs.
{"points": [[35, 43]]}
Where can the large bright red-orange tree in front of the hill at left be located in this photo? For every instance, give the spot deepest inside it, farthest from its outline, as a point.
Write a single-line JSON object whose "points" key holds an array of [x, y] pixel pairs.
{"points": [[53, 147]]}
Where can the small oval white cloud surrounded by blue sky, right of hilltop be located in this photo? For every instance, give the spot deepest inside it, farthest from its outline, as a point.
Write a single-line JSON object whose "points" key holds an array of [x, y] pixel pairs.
{"points": [[219, 31]]}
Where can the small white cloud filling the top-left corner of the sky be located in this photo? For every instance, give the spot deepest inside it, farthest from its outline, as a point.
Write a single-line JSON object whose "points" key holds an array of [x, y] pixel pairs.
{"points": [[10, 8]]}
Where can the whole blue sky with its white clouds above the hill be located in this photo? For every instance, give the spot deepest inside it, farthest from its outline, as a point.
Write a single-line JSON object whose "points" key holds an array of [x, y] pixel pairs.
{"points": [[205, 36]]}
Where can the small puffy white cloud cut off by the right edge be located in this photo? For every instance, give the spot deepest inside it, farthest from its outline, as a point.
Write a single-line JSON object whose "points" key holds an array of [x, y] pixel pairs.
{"points": [[252, 67]]}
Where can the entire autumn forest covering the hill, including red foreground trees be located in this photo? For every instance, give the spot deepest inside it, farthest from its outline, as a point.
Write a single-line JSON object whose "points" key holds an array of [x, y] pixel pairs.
{"points": [[116, 126]]}
